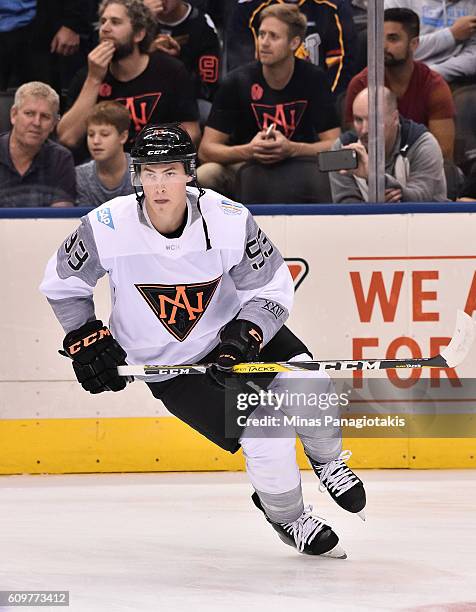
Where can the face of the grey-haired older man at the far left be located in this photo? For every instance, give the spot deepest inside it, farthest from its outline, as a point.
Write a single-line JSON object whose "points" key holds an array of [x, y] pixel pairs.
{"points": [[33, 121]]}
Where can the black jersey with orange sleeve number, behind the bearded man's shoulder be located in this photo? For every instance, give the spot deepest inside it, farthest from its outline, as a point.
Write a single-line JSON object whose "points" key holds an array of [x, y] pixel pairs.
{"points": [[199, 49]]}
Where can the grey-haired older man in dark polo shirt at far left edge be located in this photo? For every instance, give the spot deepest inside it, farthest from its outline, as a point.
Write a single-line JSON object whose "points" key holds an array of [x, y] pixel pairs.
{"points": [[35, 171]]}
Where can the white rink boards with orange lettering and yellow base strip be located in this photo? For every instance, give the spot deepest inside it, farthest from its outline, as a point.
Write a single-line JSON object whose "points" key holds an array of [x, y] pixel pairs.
{"points": [[366, 286]]}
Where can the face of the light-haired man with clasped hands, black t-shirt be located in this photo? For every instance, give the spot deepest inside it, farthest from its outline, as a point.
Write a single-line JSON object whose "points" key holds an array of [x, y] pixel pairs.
{"points": [[274, 44]]}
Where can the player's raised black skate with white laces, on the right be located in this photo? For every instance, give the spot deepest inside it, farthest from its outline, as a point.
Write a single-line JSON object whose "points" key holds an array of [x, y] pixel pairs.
{"points": [[345, 488]]}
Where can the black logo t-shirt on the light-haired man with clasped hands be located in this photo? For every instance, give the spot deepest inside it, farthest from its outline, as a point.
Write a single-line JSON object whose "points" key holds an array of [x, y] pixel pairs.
{"points": [[246, 104]]}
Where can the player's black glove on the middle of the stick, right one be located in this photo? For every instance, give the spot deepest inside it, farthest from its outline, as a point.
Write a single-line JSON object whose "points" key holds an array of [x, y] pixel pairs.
{"points": [[240, 341]]}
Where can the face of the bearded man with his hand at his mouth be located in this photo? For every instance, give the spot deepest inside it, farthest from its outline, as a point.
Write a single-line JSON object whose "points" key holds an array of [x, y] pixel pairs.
{"points": [[115, 25]]}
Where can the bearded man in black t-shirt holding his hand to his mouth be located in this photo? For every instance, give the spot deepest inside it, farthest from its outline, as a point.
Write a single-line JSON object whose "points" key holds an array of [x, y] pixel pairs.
{"points": [[154, 88]]}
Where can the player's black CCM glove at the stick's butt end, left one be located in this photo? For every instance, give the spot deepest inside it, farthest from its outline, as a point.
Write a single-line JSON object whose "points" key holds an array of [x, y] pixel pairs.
{"points": [[95, 356]]}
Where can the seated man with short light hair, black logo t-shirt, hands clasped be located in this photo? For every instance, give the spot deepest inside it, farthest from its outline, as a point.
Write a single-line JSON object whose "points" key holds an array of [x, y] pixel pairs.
{"points": [[270, 110]]}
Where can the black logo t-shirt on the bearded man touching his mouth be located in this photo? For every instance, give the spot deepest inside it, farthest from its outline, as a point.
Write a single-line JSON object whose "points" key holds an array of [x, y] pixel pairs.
{"points": [[162, 93]]}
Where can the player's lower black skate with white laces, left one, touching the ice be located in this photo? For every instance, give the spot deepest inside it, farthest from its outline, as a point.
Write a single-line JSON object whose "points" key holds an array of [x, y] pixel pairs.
{"points": [[308, 534]]}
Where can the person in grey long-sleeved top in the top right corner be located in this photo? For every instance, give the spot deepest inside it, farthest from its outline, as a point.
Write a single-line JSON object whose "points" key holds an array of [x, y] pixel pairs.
{"points": [[448, 35]]}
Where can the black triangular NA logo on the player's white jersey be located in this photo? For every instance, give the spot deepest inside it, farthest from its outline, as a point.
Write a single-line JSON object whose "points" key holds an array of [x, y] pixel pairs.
{"points": [[179, 307]]}
